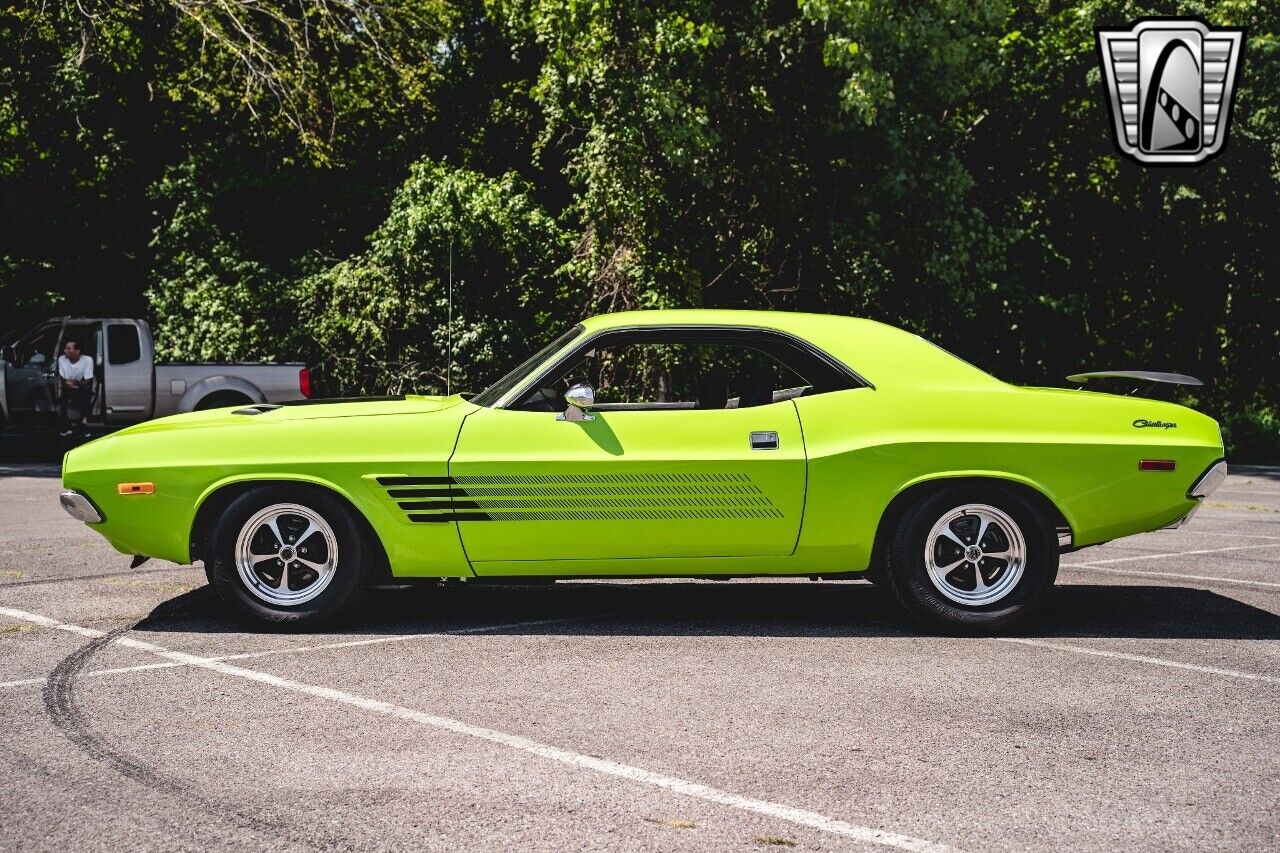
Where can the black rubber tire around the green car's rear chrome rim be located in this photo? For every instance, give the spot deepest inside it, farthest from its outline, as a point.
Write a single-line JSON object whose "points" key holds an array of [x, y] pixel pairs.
{"points": [[904, 571]]}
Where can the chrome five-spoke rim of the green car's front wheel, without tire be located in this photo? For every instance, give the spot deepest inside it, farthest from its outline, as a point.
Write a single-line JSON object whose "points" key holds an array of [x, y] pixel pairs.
{"points": [[286, 555]]}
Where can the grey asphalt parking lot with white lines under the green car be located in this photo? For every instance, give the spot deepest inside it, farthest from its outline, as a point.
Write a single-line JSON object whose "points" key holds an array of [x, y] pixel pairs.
{"points": [[1140, 714]]}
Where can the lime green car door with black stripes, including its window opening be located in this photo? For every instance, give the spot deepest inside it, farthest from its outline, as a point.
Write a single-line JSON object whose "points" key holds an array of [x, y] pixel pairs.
{"points": [[668, 464]]}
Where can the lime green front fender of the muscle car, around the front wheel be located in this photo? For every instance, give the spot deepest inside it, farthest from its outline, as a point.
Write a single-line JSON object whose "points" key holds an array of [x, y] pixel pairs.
{"points": [[191, 458]]}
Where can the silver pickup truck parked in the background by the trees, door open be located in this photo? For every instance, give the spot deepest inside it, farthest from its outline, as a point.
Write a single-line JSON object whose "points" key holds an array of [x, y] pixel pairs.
{"points": [[130, 385]]}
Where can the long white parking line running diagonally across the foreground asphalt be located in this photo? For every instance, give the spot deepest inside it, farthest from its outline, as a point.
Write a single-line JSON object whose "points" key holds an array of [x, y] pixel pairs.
{"points": [[778, 811]]}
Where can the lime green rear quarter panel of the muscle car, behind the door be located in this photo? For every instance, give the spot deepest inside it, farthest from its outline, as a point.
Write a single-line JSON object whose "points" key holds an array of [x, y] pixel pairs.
{"points": [[1081, 450]]}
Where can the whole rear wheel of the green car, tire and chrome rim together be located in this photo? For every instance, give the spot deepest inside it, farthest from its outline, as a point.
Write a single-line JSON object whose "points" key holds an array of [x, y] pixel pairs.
{"points": [[972, 559]]}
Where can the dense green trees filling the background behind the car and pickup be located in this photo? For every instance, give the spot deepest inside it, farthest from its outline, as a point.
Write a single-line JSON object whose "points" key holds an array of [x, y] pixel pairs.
{"points": [[271, 180]]}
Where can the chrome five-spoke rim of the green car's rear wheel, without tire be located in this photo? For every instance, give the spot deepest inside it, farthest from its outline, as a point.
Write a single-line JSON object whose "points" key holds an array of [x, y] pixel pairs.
{"points": [[976, 555]]}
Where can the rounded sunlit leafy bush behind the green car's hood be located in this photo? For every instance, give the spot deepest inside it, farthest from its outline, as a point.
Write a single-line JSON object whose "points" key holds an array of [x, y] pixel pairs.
{"points": [[378, 322]]}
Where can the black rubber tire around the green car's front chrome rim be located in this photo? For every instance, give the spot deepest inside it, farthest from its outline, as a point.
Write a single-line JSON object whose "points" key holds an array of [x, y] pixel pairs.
{"points": [[358, 564]]}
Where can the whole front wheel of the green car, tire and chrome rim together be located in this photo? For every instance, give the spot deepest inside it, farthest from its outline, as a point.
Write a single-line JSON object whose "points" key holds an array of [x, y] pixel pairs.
{"points": [[290, 556]]}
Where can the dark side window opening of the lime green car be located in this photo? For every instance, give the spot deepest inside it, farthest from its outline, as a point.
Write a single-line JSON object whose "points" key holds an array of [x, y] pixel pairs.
{"points": [[684, 370]]}
